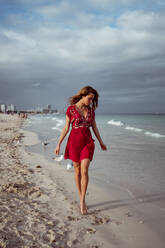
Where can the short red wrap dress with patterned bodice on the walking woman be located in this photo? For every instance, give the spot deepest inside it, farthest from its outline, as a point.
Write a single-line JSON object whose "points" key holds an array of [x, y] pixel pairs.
{"points": [[80, 144]]}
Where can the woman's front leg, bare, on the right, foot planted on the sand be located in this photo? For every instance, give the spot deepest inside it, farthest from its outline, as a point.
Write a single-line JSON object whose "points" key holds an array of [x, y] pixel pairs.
{"points": [[84, 184]]}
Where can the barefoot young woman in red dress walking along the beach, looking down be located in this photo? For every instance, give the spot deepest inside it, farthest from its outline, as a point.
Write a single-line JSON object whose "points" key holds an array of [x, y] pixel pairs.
{"points": [[80, 145]]}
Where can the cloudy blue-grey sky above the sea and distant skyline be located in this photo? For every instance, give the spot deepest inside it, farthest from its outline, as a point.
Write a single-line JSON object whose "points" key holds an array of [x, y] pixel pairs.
{"points": [[49, 49]]}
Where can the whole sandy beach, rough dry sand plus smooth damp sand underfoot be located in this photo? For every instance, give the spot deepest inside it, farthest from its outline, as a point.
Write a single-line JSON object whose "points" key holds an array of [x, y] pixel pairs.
{"points": [[39, 202]]}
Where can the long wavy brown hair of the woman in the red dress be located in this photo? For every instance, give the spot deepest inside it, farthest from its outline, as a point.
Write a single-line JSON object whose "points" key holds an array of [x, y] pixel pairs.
{"points": [[84, 92]]}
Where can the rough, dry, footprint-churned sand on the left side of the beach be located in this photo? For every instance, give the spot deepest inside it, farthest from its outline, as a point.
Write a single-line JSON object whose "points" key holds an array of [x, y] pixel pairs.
{"points": [[36, 209]]}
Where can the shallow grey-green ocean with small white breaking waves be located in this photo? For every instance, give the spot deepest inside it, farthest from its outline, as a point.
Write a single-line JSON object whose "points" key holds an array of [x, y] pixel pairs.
{"points": [[135, 159]]}
